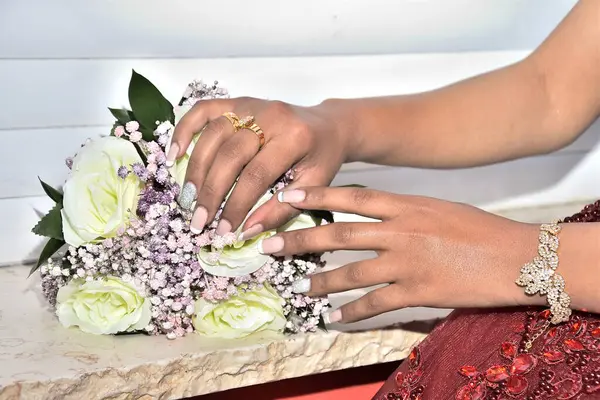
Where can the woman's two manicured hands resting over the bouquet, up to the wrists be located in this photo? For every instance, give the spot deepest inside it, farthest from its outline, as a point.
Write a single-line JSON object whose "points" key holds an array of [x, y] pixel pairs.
{"points": [[430, 252]]}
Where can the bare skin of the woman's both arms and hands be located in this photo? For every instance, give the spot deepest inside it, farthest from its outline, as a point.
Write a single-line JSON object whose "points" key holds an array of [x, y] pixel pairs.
{"points": [[536, 106]]}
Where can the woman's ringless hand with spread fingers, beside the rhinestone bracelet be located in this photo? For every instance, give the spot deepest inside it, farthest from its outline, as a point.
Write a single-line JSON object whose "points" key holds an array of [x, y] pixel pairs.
{"points": [[430, 252]]}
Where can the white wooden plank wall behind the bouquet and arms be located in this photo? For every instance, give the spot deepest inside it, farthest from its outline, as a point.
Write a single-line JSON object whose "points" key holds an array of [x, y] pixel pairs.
{"points": [[63, 62]]}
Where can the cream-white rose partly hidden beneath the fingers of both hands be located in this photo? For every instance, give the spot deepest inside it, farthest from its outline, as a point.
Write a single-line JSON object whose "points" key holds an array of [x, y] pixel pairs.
{"points": [[243, 257]]}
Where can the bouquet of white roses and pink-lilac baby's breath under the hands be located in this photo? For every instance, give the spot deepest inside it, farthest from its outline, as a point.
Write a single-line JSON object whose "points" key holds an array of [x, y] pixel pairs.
{"points": [[121, 257]]}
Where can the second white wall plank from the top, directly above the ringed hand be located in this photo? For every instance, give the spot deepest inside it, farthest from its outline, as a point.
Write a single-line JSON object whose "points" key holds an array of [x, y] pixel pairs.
{"points": [[54, 93]]}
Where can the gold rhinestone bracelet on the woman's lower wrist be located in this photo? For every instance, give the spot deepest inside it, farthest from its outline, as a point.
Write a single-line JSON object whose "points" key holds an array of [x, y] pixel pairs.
{"points": [[540, 276]]}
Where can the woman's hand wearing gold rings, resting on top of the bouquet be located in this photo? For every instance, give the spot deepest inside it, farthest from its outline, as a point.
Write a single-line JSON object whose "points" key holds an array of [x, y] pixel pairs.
{"points": [[306, 139]]}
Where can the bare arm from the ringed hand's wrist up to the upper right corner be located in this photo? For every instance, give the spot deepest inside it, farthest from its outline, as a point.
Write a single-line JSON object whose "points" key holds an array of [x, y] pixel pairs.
{"points": [[535, 106]]}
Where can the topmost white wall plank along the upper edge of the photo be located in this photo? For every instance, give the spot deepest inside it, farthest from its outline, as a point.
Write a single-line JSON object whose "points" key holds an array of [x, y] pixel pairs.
{"points": [[234, 28]]}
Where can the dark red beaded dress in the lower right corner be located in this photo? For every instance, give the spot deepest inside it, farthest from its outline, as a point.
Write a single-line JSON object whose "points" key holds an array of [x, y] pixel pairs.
{"points": [[504, 354]]}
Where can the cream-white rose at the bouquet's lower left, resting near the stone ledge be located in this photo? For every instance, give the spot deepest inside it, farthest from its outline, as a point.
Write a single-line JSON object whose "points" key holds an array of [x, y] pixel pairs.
{"points": [[102, 307]]}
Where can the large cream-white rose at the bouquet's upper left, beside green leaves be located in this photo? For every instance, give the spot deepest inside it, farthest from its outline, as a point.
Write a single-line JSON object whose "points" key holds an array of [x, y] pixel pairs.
{"points": [[97, 202]]}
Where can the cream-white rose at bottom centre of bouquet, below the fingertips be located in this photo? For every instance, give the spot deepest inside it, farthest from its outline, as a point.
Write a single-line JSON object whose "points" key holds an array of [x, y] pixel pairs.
{"points": [[241, 315]]}
